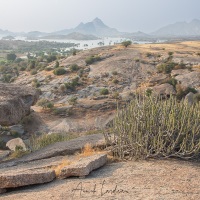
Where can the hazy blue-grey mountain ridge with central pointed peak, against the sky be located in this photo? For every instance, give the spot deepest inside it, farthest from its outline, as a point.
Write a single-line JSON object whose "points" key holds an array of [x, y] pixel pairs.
{"points": [[97, 28]]}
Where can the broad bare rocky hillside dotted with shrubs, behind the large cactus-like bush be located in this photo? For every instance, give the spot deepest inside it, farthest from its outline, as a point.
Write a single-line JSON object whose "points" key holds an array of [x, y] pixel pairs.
{"points": [[123, 71]]}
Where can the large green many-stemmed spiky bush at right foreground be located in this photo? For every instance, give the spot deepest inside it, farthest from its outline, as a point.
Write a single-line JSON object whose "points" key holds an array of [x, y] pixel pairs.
{"points": [[152, 127]]}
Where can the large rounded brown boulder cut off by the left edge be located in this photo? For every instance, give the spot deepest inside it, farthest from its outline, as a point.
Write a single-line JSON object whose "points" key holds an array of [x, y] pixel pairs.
{"points": [[15, 103]]}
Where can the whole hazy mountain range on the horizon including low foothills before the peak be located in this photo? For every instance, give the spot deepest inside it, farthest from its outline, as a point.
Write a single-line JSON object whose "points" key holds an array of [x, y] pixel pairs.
{"points": [[97, 28]]}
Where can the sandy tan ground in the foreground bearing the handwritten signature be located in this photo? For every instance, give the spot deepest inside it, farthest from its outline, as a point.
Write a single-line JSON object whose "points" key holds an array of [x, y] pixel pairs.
{"points": [[149, 180]]}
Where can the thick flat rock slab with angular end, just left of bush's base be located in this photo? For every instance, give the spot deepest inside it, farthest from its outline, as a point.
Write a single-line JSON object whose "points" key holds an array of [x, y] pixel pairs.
{"points": [[84, 166]]}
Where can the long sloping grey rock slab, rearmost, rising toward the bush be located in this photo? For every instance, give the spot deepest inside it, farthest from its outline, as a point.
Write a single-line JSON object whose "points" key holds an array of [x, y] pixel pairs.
{"points": [[60, 149]]}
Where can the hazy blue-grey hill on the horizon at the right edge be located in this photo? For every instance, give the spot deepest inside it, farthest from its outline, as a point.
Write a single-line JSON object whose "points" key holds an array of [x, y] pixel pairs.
{"points": [[180, 29]]}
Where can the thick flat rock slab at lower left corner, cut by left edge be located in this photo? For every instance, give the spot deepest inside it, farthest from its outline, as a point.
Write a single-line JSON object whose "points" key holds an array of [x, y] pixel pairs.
{"points": [[24, 178]]}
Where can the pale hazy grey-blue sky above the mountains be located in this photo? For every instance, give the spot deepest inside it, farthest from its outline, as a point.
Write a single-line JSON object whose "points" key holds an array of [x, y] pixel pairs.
{"points": [[125, 15]]}
